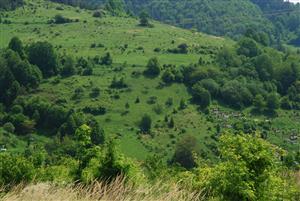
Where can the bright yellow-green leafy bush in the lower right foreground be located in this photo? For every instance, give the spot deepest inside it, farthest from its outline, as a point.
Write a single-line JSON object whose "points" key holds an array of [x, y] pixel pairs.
{"points": [[249, 170]]}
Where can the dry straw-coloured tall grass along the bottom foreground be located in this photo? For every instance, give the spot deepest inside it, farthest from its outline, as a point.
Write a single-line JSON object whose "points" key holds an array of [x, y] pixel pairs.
{"points": [[114, 191]]}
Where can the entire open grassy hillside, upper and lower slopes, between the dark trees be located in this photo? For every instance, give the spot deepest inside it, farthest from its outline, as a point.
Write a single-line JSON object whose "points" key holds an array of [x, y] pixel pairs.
{"points": [[114, 33]]}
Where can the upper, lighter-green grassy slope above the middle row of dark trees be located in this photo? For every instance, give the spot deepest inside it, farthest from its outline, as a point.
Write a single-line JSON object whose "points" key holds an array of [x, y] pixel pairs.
{"points": [[113, 32]]}
